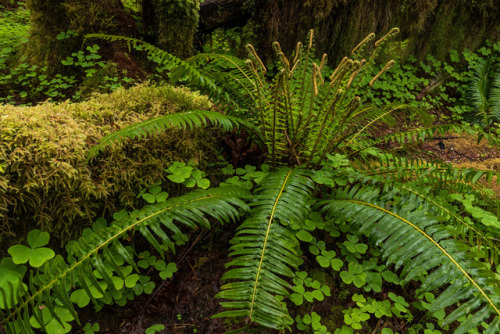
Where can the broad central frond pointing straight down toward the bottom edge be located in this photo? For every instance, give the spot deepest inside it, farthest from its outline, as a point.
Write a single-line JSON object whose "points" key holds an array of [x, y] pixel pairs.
{"points": [[264, 250]]}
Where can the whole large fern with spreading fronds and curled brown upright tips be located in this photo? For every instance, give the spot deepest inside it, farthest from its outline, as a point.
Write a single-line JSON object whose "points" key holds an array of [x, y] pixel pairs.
{"points": [[302, 119]]}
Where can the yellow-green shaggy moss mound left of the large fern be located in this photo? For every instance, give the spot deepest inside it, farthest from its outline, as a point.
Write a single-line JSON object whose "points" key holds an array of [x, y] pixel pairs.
{"points": [[45, 181]]}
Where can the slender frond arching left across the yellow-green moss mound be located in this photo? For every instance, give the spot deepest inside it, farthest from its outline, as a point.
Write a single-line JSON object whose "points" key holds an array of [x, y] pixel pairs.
{"points": [[182, 120]]}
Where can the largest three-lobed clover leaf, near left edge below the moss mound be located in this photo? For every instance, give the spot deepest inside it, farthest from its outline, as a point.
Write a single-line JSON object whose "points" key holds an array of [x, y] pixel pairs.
{"points": [[36, 254]]}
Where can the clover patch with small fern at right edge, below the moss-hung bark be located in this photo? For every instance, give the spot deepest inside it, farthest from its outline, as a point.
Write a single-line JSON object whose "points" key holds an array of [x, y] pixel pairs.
{"points": [[461, 85]]}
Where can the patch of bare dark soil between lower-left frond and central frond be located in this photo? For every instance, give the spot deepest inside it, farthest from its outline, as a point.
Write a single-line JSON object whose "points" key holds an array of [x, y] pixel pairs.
{"points": [[183, 303]]}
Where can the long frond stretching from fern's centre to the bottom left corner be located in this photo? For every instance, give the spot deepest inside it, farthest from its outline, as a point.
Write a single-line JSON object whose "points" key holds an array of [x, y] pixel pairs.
{"points": [[97, 251]]}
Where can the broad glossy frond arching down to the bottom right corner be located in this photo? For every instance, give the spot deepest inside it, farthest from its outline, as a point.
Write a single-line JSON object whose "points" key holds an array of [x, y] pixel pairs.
{"points": [[412, 237]]}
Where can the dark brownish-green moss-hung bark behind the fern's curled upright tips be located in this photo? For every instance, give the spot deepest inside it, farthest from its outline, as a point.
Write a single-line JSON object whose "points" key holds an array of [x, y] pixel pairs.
{"points": [[432, 26]]}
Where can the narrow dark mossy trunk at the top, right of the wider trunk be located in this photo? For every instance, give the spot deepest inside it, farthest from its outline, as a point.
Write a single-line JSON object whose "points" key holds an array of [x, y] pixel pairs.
{"points": [[176, 23]]}
